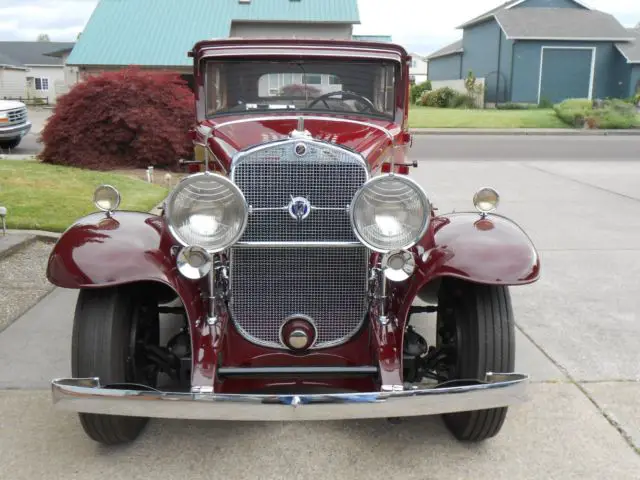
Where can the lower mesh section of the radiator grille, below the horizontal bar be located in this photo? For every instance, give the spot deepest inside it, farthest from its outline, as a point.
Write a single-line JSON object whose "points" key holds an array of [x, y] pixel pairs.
{"points": [[271, 284]]}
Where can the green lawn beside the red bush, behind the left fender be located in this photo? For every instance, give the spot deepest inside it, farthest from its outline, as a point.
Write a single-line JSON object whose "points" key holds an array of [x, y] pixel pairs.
{"points": [[48, 197]]}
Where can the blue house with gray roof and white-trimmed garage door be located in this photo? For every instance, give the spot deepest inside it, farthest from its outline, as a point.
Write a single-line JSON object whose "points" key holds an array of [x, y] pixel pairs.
{"points": [[533, 50]]}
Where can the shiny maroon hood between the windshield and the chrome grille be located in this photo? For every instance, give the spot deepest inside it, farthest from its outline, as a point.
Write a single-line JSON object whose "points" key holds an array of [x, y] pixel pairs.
{"points": [[367, 137]]}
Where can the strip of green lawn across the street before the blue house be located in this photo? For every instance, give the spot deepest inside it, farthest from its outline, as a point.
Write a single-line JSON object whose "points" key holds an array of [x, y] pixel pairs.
{"points": [[423, 117]]}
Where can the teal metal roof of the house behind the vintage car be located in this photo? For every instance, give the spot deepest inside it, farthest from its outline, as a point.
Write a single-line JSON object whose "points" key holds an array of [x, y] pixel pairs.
{"points": [[160, 32]]}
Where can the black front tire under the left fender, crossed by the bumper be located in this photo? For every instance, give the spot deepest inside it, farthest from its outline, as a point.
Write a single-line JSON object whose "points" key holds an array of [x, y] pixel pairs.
{"points": [[111, 327]]}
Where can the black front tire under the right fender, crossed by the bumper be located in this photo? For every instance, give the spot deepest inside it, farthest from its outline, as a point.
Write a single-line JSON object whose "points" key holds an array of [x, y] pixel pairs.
{"points": [[478, 319]]}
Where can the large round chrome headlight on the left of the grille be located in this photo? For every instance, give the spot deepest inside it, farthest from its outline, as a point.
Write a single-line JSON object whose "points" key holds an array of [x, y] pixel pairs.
{"points": [[208, 210]]}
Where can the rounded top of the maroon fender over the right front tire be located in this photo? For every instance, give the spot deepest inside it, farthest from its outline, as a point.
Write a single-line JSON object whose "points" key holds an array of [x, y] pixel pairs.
{"points": [[491, 250]]}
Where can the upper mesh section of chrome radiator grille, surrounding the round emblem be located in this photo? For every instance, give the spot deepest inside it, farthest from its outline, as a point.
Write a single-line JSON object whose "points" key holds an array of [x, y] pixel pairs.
{"points": [[328, 178]]}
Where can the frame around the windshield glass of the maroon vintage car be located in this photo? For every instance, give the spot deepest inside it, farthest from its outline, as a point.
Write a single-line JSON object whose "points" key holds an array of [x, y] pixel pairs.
{"points": [[393, 108]]}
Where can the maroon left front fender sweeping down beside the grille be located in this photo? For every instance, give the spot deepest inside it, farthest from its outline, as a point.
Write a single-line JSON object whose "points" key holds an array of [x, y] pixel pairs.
{"points": [[130, 247]]}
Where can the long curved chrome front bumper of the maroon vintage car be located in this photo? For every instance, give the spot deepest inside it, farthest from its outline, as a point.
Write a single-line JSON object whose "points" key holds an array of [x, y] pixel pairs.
{"points": [[88, 396]]}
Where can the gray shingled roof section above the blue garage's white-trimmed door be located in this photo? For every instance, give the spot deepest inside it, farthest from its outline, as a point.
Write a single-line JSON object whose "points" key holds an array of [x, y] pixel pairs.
{"points": [[561, 24]]}
